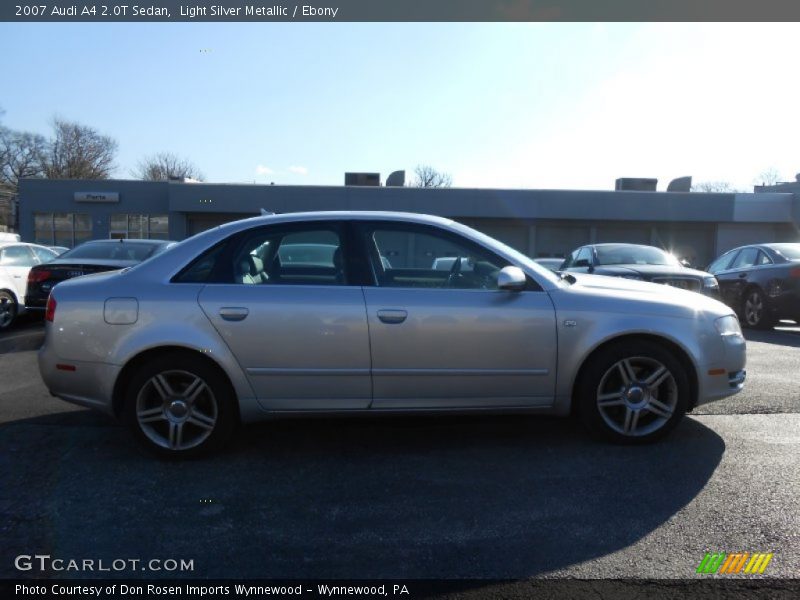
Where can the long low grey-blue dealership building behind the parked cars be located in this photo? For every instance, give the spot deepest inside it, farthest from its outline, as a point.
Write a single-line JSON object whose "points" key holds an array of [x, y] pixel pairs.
{"points": [[540, 223]]}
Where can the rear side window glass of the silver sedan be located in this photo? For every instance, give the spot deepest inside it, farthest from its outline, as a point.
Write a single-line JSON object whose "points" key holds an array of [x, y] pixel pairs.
{"points": [[275, 255]]}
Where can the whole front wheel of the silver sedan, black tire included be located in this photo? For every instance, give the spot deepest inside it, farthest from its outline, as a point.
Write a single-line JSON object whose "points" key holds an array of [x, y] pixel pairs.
{"points": [[652, 410]]}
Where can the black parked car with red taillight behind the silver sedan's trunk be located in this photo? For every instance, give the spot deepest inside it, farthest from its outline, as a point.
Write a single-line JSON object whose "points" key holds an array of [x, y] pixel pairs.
{"points": [[90, 257]]}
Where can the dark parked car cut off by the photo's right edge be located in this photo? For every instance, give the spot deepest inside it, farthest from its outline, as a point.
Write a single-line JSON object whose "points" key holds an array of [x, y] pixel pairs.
{"points": [[761, 283]]}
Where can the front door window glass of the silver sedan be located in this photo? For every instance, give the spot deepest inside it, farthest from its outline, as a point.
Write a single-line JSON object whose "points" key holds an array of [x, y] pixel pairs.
{"points": [[423, 257]]}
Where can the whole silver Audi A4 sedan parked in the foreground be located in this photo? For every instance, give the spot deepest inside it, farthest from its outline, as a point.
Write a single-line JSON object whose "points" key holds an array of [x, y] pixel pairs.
{"points": [[241, 323]]}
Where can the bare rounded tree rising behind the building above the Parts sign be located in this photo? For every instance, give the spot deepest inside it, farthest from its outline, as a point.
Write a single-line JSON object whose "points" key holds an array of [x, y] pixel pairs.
{"points": [[78, 152]]}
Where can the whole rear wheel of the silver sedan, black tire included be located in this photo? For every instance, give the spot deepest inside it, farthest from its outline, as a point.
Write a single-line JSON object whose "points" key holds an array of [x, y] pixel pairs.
{"points": [[170, 422]]}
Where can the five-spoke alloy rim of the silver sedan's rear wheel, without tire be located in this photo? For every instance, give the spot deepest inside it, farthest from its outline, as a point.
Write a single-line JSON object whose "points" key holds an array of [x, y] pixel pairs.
{"points": [[176, 410]]}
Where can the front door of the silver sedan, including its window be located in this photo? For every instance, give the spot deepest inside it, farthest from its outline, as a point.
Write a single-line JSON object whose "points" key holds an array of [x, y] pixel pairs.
{"points": [[442, 335]]}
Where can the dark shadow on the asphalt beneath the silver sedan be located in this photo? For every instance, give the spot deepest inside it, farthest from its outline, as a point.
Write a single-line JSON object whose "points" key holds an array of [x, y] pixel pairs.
{"points": [[426, 497]]}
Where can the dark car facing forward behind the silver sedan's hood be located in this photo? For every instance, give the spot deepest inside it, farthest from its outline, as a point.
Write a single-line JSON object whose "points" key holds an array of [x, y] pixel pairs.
{"points": [[645, 263]]}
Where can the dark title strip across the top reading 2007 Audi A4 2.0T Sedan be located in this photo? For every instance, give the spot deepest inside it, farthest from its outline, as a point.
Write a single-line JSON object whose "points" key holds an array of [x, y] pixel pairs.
{"points": [[397, 10]]}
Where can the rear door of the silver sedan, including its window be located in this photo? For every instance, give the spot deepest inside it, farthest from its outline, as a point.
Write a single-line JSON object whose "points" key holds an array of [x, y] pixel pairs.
{"points": [[281, 298]]}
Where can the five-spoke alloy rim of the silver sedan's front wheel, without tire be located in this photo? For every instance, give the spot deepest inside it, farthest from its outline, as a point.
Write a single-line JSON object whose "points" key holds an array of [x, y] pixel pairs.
{"points": [[637, 396]]}
